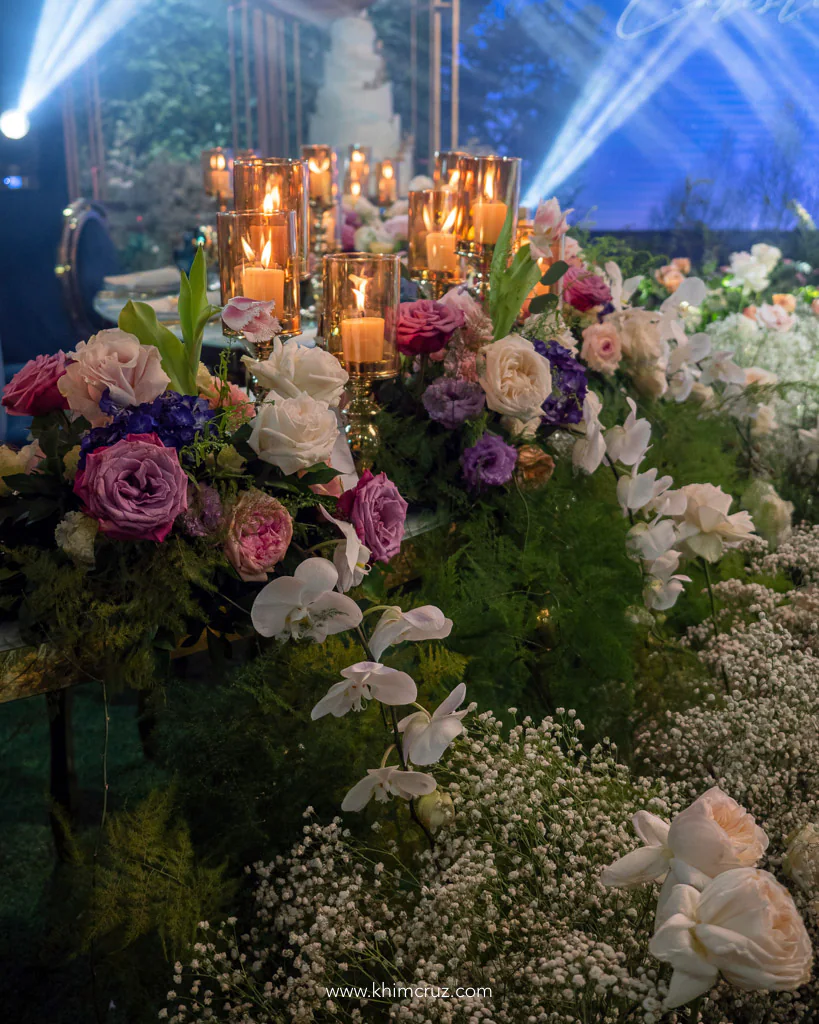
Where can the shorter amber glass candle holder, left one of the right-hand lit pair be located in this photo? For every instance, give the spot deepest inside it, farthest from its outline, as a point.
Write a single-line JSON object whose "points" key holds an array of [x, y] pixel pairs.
{"points": [[434, 237]]}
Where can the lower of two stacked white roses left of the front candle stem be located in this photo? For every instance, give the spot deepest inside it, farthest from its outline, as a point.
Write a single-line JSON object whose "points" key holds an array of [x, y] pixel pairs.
{"points": [[294, 434]]}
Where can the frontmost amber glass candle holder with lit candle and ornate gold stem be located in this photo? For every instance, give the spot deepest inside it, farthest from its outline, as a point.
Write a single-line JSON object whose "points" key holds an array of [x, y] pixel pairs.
{"points": [[361, 323]]}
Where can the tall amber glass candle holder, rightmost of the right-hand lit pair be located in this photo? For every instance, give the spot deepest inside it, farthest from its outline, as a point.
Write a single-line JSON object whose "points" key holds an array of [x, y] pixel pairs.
{"points": [[495, 191]]}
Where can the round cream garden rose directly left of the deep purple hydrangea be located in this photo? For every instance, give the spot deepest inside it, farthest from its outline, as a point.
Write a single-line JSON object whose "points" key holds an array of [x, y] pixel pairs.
{"points": [[516, 378]]}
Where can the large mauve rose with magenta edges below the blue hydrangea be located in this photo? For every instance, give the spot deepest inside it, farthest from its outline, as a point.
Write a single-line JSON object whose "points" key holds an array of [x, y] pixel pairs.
{"points": [[135, 489]]}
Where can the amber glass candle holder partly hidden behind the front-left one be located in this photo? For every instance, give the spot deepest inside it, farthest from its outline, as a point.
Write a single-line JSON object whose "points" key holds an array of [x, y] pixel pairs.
{"points": [[276, 185]]}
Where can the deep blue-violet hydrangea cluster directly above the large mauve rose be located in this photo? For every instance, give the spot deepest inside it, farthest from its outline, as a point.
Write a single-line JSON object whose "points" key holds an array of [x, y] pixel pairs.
{"points": [[176, 419]]}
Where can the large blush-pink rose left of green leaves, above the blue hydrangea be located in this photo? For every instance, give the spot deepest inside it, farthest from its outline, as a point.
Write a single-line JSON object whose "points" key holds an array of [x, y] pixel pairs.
{"points": [[112, 361]]}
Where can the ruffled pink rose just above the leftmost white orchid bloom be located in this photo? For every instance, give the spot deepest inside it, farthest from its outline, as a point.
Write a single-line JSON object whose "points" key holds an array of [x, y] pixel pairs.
{"points": [[260, 532]]}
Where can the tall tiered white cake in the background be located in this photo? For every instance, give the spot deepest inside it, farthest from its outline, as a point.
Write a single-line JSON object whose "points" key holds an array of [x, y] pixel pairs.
{"points": [[355, 103]]}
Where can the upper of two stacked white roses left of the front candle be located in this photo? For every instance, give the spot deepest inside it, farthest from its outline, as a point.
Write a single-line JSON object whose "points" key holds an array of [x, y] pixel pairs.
{"points": [[292, 369]]}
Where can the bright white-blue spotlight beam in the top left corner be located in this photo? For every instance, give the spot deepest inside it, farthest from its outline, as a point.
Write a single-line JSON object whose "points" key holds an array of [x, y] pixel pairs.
{"points": [[66, 39]]}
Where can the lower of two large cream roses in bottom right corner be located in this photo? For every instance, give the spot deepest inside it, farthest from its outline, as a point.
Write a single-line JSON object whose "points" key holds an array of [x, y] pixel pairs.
{"points": [[744, 924]]}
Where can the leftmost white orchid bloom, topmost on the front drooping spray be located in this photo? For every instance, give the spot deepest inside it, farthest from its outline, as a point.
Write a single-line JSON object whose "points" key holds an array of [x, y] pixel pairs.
{"points": [[305, 605]]}
